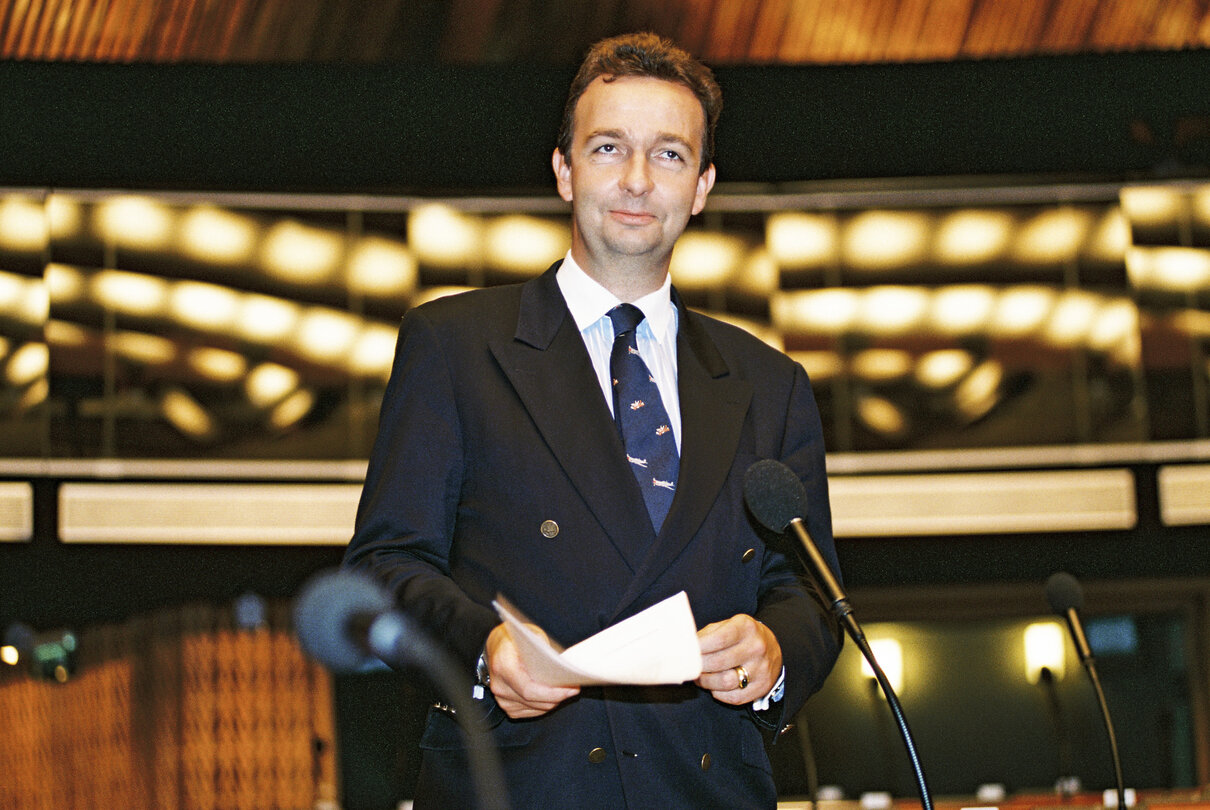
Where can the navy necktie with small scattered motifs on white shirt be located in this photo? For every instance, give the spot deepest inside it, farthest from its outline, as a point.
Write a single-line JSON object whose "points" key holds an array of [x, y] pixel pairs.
{"points": [[647, 432]]}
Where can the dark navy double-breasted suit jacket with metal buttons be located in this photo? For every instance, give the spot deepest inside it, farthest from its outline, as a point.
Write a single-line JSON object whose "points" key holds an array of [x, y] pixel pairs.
{"points": [[494, 436]]}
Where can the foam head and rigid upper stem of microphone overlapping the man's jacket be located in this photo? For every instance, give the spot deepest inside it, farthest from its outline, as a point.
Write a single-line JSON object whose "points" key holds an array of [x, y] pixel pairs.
{"points": [[779, 502]]}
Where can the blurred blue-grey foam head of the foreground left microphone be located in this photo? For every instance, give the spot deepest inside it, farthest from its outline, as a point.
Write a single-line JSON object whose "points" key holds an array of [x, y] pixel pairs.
{"points": [[324, 611]]}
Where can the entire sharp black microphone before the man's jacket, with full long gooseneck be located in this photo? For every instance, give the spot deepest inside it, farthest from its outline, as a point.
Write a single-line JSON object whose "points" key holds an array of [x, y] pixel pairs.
{"points": [[777, 501]]}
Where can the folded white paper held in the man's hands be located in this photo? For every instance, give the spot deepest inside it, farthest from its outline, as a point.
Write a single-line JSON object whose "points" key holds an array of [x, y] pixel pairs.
{"points": [[655, 647]]}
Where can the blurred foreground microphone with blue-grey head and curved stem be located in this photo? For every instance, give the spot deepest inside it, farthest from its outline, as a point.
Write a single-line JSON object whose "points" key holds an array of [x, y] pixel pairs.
{"points": [[345, 621]]}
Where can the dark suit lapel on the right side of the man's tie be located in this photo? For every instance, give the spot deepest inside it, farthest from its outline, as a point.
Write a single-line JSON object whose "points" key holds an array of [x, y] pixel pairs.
{"points": [[713, 405]]}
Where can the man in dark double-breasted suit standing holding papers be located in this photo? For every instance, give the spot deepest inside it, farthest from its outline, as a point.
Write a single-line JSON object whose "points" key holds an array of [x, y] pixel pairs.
{"points": [[500, 468]]}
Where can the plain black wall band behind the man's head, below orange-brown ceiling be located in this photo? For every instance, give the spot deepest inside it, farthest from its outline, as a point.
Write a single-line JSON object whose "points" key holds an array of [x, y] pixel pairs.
{"points": [[440, 129]]}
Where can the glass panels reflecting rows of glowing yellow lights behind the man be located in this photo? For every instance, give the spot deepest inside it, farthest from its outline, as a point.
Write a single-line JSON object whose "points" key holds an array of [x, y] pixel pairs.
{"points": [[263, 326]]}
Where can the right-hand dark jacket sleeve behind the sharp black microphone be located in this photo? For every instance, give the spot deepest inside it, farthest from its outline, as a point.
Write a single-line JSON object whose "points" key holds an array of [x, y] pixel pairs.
{"points": [[809, 635]]}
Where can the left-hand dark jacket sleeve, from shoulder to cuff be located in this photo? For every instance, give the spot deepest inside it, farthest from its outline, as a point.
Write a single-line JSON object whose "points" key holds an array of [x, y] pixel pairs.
{"points": [[407, 514]]}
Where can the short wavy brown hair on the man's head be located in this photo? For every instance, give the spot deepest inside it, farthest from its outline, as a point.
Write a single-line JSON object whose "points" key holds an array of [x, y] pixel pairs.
{"points": [[646, 55]]}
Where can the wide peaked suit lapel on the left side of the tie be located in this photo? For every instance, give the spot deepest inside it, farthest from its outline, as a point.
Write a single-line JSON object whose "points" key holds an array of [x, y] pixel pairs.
{"points": [[550, 369]]}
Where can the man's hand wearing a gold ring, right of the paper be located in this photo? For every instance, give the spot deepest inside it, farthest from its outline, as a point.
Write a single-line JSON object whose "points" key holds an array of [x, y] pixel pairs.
{"points": [[734, 648]]}
